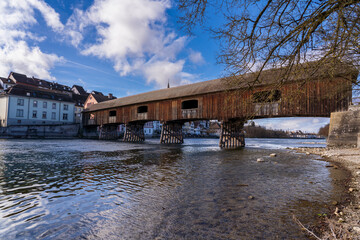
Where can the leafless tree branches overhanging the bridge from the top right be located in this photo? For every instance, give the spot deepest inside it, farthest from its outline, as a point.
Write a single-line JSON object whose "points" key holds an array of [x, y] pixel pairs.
{"points": [[256, 35]]}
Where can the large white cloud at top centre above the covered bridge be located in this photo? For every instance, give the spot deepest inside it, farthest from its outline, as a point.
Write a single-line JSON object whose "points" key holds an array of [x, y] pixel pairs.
{"points": [[132, 34]]}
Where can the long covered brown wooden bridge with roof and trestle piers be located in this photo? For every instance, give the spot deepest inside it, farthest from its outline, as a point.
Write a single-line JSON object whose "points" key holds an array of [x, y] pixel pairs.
{"points": [[229, 100]]}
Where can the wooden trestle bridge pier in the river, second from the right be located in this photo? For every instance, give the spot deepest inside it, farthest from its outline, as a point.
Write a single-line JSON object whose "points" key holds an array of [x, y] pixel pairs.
{"points": [[171, 132]]}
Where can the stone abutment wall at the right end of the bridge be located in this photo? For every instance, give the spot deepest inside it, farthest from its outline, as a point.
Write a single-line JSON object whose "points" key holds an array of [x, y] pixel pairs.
{"points": [[345, 128]]}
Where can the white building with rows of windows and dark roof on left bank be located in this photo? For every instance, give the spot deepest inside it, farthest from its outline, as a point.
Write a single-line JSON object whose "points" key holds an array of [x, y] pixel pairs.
{"points": [[26, 105]]}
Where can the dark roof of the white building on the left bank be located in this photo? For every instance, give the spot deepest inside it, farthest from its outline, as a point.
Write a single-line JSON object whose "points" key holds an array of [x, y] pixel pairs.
{"points": [[29, 91]]}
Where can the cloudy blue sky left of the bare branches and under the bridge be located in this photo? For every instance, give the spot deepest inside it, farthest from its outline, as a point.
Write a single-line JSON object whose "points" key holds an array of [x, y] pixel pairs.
{"points": [[119, 46]]}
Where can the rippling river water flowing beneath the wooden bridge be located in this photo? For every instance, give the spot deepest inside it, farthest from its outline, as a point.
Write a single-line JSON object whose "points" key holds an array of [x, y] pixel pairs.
{"points": [[89, 189]]}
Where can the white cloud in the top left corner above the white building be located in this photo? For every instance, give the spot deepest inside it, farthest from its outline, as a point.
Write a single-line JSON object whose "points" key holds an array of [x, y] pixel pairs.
{"points": [[15, 53]]}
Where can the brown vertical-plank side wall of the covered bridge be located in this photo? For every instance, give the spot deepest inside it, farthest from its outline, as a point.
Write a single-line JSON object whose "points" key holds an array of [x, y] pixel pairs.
{"points": [[308, 99]]}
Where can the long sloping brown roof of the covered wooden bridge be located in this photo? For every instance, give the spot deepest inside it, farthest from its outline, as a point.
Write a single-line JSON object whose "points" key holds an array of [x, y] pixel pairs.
{"points": [[267, 77]]}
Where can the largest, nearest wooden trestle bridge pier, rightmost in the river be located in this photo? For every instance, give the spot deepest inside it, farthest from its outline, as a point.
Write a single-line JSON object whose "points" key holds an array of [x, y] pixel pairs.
{"points": [[232, 135]]}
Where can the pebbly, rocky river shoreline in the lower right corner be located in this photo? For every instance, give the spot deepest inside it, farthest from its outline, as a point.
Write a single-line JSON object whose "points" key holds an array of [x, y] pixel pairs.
{"points": [[344, 220]]}
